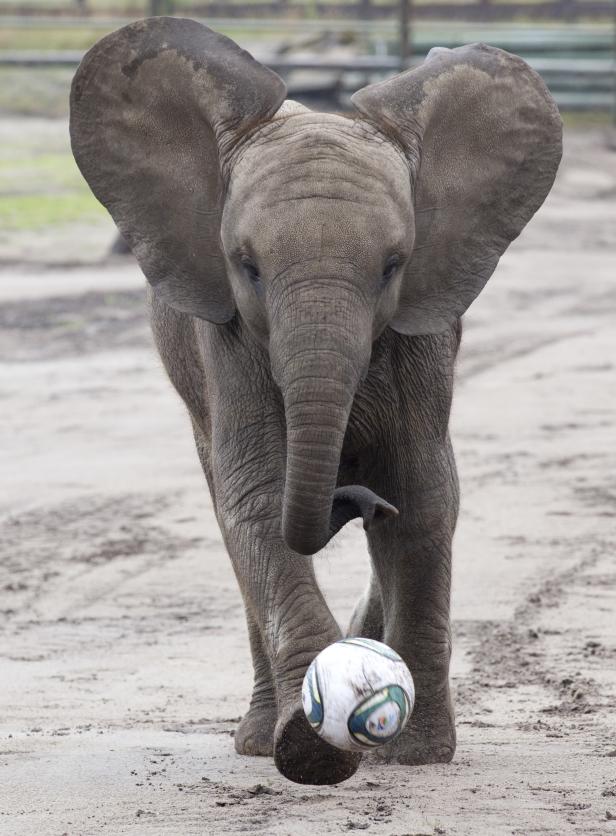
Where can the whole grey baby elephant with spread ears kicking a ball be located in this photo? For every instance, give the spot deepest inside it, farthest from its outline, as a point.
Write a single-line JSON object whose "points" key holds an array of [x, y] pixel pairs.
{"points": [[307, 277]]}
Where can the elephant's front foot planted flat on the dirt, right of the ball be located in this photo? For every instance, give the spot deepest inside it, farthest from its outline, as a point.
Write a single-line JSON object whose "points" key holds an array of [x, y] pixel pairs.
{"points": [[425, 740]]}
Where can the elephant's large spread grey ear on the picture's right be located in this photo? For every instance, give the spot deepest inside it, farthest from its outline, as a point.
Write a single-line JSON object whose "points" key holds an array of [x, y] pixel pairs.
{"points": [[483, 138]]}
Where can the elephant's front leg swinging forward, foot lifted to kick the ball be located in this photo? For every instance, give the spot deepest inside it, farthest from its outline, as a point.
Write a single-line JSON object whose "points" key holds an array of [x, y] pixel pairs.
{"points": [[288, 616]]}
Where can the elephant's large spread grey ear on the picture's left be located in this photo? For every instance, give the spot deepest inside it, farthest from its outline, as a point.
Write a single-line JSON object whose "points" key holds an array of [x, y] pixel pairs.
{"points": [[151, 106]]}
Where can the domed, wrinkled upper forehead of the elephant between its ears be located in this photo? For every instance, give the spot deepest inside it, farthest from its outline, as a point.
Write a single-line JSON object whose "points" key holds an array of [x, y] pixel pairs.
{"points": [[312, 155]]}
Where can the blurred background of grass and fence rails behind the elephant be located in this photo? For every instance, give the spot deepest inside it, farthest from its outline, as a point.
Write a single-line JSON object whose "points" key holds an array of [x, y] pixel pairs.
{"points": [[325, 50]]}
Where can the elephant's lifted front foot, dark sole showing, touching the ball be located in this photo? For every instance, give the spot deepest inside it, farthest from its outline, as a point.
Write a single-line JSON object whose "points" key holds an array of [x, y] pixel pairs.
{"points": [[301, 756]]}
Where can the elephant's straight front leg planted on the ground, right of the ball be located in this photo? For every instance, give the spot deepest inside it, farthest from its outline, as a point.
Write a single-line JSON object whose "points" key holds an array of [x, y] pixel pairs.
{"points": [[412, 559]]}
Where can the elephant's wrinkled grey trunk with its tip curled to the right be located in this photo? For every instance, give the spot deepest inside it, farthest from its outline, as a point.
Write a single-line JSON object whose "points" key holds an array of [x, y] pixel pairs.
{"points": [[318, 365]]}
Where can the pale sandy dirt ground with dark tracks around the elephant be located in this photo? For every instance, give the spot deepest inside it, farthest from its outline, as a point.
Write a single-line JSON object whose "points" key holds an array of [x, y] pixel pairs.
{"points": [[124, 664]]}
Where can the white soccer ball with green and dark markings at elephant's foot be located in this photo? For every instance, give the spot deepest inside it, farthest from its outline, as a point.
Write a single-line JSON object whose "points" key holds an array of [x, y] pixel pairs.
{"points": [[358, 694]]}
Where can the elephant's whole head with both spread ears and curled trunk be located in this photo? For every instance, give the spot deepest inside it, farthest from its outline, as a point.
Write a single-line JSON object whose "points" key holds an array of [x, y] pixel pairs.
{"points": [[318, 230]]}
